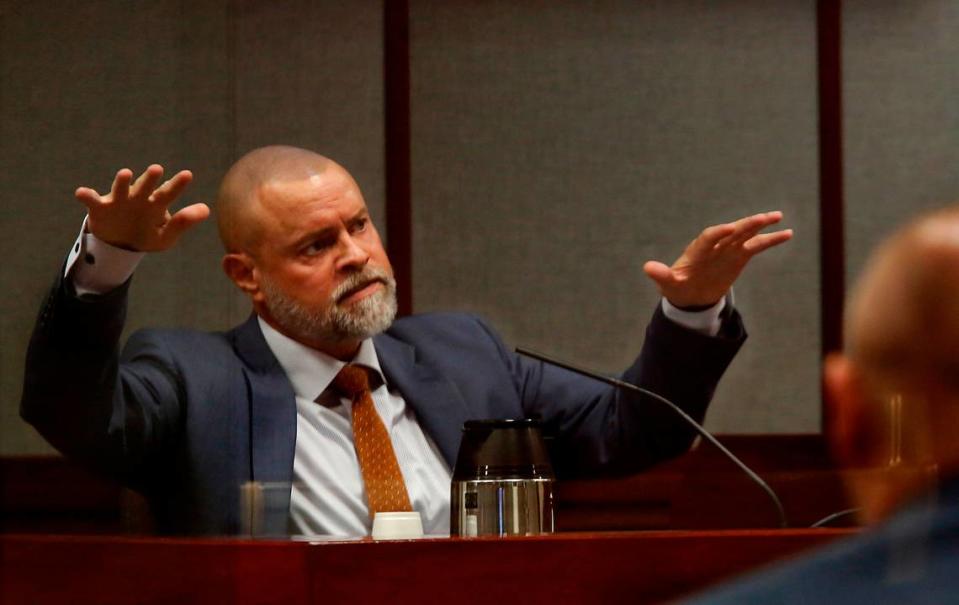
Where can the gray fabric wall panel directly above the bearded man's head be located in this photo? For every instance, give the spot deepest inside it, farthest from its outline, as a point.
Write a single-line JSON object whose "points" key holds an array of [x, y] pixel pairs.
{"points": [[311, 74]]}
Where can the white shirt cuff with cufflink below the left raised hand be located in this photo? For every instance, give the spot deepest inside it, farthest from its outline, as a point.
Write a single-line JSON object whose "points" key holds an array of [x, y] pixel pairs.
{"points": [[96, 267]]}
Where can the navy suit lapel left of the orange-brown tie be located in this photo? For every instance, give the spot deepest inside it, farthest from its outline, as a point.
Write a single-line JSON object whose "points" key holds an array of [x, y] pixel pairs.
{"points": [[272, 408]]}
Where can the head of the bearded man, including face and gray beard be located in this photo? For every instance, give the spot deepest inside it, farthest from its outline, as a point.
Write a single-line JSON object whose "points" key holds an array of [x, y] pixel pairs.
{"points": [[300, 243]]}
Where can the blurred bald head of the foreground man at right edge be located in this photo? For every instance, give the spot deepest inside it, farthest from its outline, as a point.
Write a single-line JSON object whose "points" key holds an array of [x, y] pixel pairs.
{"points": [[893, 395]]}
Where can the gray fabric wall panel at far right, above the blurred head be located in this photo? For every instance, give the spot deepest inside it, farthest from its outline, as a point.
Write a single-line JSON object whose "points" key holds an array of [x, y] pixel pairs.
{"points": [[901, 118]]}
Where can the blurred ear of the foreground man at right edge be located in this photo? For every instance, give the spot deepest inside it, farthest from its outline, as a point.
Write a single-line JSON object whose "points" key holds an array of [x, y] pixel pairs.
{"points": [[850, 426]]}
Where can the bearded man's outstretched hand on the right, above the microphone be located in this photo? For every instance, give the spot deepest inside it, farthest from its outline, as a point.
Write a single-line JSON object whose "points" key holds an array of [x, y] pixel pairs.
{"points": [[712, 262]]}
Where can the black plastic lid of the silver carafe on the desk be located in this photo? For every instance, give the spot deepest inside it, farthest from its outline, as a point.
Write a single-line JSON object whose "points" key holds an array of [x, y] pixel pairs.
{"points": [[503, 449]]}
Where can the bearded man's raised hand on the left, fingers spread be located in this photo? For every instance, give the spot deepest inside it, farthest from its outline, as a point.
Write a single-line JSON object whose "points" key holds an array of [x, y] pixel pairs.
{"points": [[136, 216]]}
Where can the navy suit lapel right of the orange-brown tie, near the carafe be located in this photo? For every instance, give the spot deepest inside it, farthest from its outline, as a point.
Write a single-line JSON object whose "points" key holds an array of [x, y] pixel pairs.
{"points": [[440, 408]]}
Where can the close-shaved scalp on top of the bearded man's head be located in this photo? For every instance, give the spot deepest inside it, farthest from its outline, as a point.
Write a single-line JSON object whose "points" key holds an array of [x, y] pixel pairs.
{"points": [[239, 193]]}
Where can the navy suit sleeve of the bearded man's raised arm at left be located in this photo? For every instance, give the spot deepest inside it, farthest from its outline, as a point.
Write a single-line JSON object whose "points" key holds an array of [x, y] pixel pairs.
{"points": [[79, 396]]}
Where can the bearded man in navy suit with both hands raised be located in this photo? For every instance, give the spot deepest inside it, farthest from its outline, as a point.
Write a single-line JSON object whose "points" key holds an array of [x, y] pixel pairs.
{"points": [[188, 417]]}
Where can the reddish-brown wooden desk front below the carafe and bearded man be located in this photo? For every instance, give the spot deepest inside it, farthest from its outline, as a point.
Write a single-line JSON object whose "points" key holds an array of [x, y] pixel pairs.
{"points": [[634, 567]]}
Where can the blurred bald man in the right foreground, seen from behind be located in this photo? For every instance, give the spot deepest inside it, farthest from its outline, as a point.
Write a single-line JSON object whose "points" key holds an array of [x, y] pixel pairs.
{"points": [[894, 396]]}
